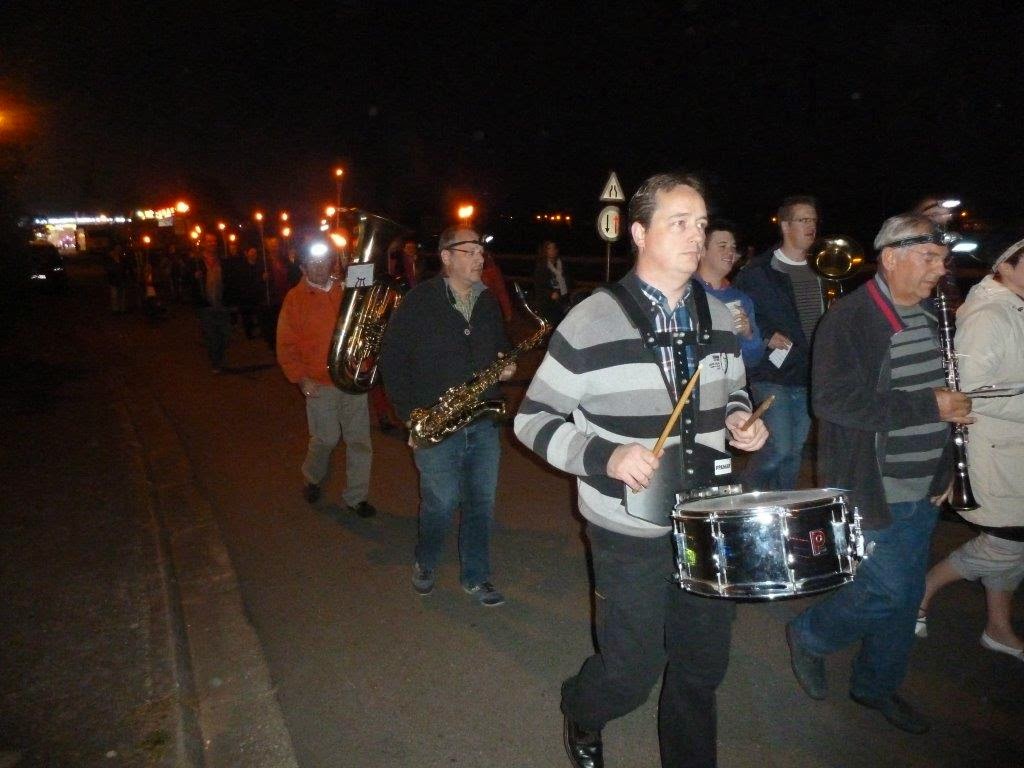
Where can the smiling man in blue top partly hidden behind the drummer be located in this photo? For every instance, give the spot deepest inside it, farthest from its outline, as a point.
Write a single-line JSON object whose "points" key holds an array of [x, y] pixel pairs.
{"points": [[718, 262]]}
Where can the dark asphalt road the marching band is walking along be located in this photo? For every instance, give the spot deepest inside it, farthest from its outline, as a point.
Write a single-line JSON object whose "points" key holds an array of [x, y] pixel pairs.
{"points": [[369, 674]]}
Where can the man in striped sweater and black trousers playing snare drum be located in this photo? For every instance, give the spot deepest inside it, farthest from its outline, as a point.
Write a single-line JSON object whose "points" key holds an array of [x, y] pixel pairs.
{"points": [[596, 407]]}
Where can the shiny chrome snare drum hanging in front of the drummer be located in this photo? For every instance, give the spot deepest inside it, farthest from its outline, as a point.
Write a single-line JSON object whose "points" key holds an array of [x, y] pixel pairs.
{"points": [[766, 545]]}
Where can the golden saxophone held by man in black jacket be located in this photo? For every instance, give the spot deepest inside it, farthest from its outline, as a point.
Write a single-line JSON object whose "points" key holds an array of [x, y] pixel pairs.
{"points": [[463, 404]]}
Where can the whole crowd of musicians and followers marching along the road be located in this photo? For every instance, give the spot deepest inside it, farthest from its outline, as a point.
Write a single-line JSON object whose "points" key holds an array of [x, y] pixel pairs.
{"points": [[684, 334]]}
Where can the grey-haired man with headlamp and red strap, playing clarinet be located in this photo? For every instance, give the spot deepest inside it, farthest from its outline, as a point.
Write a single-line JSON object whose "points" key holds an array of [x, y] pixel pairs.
{"points": [[880, 393]]}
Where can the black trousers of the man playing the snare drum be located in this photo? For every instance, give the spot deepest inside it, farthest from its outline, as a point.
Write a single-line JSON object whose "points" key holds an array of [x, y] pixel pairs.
{"points": [[647, 625]]}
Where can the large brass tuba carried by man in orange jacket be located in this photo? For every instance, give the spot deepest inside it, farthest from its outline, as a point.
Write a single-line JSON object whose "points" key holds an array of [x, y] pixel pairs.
{"points": [[371, 296]]}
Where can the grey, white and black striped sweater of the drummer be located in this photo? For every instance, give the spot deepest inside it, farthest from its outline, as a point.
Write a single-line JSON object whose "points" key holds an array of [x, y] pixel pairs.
{"points": [[600, 388]]}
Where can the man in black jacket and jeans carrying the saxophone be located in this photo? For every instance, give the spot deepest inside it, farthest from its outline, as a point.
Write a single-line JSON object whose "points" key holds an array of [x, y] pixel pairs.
{"points": [[447, 329]]}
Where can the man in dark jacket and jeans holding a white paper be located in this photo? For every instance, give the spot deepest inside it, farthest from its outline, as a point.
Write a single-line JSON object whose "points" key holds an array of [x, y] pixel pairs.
{"points": [[788, 304]]}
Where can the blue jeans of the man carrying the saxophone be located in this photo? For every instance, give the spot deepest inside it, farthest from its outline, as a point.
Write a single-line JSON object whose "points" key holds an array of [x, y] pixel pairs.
{"points": [[461, 473]]}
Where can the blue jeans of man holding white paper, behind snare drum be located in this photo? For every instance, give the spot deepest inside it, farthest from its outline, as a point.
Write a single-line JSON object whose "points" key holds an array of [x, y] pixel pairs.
{"points": [[777, 466]]}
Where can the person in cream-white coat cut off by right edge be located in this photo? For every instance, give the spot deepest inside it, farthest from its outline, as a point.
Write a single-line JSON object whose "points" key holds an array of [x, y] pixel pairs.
{"points": [[991, 352]]}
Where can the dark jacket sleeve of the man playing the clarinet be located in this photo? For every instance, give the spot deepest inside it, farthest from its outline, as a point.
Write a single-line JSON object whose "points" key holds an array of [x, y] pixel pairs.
{"points": [[844, 388]]}
